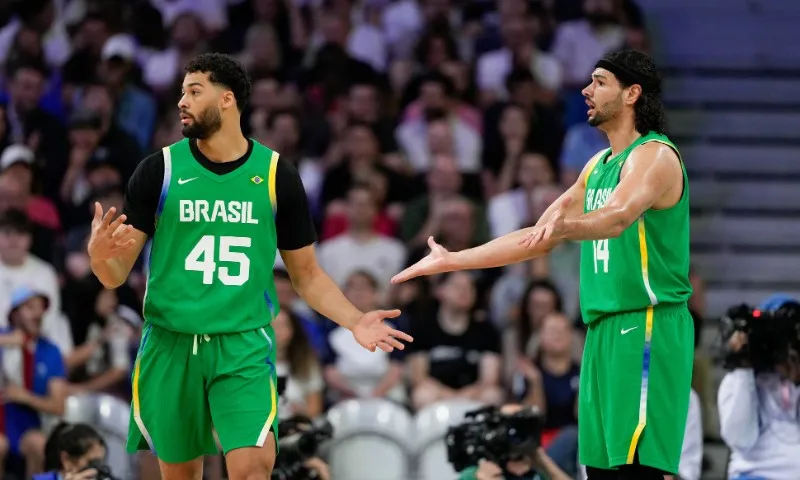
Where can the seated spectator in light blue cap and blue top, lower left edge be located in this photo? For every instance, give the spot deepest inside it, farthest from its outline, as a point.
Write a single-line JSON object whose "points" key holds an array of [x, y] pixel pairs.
{"points": [[33, 373]]}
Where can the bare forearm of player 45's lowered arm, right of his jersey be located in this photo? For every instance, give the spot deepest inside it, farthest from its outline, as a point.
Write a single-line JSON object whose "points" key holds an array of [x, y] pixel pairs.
{"points": [[323, 295]]}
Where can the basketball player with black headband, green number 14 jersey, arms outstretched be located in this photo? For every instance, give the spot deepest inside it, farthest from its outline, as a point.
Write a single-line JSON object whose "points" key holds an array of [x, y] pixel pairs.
{"points": [[630, 210]]}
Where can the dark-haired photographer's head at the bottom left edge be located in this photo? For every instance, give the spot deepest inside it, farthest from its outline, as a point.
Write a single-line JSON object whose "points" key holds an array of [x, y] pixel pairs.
{"points": [[75, 452]]}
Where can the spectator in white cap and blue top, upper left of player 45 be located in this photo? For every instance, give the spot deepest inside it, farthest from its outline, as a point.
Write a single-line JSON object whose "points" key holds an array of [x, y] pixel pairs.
{"points": [[136, 109]]}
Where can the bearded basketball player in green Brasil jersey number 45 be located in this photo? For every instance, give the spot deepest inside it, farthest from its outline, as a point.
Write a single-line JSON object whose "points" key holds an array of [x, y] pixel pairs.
{"points": [[217, 207]]}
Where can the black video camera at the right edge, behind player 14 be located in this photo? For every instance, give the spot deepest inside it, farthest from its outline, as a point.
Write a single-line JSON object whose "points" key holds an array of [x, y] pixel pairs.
{"points": [[770, 335]]}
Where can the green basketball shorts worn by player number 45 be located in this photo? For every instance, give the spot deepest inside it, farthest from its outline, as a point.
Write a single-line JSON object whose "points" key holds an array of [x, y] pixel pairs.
{"points": [[189, 388]]}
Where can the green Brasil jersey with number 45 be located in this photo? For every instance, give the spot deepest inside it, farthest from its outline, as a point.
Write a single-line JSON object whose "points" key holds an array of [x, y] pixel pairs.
{"points": [[214, 246]]}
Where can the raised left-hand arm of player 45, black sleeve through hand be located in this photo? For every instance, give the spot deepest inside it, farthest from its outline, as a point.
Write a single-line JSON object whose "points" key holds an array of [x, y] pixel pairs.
{"points": [[118, 246]]}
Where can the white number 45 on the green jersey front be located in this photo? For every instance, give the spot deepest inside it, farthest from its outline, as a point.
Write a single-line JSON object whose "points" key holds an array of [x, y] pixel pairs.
{"points": [[202, 259]]}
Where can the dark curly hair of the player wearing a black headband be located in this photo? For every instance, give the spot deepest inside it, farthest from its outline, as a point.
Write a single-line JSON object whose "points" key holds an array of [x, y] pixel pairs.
{"points": [[649, 111]]}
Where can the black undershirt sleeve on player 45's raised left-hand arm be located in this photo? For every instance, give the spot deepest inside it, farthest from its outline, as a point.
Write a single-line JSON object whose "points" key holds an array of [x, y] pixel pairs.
{"points": [[143, 192]]}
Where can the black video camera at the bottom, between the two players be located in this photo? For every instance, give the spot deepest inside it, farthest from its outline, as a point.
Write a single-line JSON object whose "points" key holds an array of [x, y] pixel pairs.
{"points": [[489, 434]]}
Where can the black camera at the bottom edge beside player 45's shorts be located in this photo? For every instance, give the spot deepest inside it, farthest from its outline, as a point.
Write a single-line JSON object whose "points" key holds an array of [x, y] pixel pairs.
{"points": [[299, 440]]}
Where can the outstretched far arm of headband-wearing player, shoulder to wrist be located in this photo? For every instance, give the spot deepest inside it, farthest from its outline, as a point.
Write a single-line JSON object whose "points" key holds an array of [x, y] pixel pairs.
{"points": [[506, 250]]}
